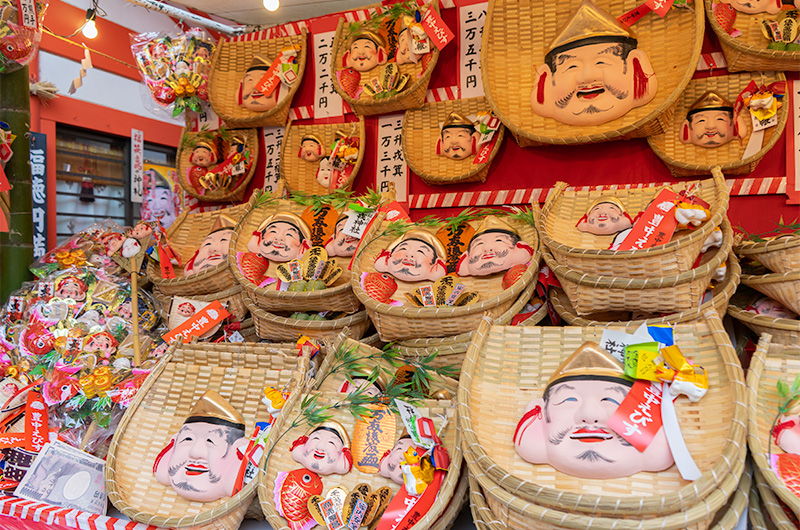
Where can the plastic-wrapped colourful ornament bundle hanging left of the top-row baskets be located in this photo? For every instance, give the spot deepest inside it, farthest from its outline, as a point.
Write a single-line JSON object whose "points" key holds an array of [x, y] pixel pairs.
{"points": [[175, 69]]}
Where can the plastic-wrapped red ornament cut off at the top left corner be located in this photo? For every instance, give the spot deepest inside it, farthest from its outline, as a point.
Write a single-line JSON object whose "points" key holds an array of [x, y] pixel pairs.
{"points": [[20, 32]]}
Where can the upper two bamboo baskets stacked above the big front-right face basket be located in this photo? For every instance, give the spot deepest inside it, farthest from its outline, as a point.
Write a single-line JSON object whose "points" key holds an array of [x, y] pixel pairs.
{"points": [[664, 279]]}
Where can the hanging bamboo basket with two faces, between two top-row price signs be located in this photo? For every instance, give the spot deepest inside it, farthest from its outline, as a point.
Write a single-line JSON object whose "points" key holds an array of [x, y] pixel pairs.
{"points": [[411, 97]]}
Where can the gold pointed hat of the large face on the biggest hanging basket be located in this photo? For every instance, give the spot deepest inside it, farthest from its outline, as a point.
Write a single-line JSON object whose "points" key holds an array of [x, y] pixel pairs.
{"points": [[589, 21]]}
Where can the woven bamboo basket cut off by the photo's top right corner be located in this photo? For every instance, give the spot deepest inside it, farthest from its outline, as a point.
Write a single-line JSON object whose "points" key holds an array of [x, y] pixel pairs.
{"points": [[748, 52]]}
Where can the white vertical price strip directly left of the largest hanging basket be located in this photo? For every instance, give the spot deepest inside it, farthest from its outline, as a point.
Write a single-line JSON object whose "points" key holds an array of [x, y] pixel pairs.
{"points": [[471, 19]]}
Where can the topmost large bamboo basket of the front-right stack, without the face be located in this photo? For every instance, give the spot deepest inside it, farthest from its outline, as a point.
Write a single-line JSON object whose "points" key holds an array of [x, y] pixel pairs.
{"points": [[713, 428]]}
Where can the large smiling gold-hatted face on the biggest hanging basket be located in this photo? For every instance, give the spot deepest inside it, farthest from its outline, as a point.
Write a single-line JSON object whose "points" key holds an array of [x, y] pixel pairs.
{"points": [[593, 72]]}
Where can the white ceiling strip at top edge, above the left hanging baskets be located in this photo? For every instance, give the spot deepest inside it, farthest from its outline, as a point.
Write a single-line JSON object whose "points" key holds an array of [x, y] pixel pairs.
{"points": [[253, 12]]}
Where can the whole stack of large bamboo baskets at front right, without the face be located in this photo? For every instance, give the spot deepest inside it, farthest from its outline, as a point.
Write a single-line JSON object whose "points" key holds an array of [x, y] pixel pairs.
{"points": [[508, 366]]}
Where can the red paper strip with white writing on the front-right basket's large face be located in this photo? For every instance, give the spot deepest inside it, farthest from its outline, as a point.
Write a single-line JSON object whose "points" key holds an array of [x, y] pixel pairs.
{"points": [[638, 418]]}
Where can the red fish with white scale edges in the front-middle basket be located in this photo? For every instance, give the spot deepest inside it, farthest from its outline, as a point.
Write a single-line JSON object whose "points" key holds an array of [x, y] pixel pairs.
{"points": [[292, 492]]}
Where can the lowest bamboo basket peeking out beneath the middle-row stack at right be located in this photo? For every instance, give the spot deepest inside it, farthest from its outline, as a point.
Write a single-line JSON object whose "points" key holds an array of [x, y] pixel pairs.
{"points": [[719, 303]]}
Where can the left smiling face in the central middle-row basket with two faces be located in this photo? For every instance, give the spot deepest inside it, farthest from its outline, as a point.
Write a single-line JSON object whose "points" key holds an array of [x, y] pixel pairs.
{"points": [[415, 256]]}
